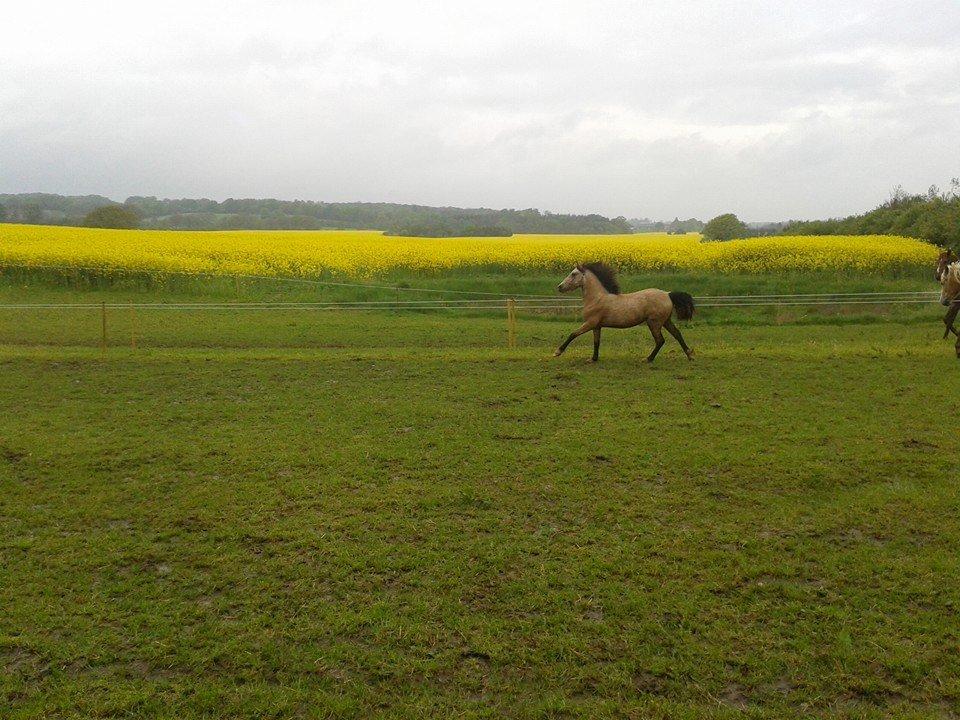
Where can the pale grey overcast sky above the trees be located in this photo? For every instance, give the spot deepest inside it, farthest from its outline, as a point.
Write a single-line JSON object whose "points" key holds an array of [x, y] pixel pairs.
{"points": [[771, 110]]}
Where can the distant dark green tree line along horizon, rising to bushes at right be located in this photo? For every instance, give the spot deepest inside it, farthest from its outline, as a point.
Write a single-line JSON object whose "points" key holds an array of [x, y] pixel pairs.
{"points": [[933, 216]]}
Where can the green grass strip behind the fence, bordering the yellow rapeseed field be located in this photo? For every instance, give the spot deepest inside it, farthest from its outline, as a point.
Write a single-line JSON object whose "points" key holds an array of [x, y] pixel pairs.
{"points": [[307, 328]]}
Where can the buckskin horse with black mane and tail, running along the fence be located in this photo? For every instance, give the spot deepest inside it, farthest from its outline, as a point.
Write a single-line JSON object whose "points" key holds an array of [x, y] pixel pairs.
{"points": [[604, 306]]}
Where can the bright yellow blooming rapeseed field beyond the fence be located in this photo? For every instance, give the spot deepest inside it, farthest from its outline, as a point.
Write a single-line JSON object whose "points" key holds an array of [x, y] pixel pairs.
{"points": [[370, 253]]}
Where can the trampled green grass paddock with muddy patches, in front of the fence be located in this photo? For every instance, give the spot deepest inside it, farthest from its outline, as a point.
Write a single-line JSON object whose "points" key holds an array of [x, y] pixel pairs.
{"points": [[391, 514]]}
